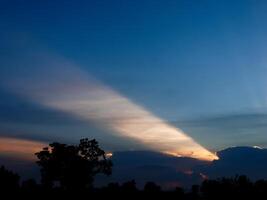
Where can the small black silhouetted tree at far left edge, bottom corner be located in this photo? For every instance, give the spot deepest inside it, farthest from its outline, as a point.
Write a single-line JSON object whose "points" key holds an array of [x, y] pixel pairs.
{"points": [[9, 181]]}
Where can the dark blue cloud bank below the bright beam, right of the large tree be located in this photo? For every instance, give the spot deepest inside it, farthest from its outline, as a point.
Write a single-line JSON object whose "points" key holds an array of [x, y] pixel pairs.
{"points": [[143, 166]]}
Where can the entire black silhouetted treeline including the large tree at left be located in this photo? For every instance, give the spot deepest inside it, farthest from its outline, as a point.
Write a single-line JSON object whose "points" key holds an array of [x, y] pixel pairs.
{"points": [[70, 170]]}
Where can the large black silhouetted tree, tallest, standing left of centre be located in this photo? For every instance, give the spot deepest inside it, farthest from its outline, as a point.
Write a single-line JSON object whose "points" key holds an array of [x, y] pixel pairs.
{"points": [[73, 167]]}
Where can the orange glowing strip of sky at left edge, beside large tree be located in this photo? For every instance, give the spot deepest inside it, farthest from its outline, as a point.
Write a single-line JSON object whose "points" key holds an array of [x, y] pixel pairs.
{"points": [[20, 148]]}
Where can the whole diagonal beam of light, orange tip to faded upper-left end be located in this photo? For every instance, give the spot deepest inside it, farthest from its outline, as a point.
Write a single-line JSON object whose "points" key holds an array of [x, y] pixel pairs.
{"points": [[61, 86]]}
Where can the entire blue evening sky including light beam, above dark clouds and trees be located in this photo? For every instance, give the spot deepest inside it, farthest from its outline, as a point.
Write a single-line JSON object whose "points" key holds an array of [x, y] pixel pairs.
{"points": [[194, 68]]}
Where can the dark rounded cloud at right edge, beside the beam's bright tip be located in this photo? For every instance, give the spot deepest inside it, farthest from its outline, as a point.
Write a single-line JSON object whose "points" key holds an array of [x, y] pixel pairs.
{"points": [[249, 161]]}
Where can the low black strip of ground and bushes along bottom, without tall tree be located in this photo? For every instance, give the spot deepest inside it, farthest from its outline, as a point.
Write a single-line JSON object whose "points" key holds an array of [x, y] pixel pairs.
{"points": [[238, 188]]}
